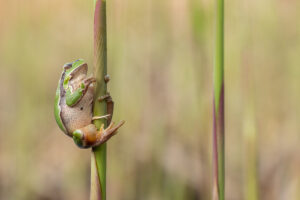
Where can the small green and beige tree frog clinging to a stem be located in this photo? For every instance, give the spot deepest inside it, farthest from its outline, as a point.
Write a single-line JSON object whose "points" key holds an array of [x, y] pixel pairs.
{"points": [[74, 105]]}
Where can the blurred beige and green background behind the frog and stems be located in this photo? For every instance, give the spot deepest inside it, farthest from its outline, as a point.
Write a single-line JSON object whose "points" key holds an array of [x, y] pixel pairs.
{"points": [[160, 61]]}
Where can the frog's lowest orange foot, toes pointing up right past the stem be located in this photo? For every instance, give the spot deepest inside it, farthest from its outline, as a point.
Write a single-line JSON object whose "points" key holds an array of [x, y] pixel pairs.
{"points": [[104, 134]]}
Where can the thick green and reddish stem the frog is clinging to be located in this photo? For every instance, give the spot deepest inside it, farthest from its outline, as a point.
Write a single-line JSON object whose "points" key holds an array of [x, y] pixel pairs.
{"points": [[98, 159]]}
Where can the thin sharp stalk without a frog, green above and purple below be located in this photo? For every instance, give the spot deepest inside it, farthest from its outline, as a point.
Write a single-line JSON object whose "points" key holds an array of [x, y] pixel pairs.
{"points": [[218, 106]]}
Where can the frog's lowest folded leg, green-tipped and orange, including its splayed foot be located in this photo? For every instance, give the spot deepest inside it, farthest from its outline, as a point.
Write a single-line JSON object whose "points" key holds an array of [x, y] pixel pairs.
{"points": [[89, 136]]}
